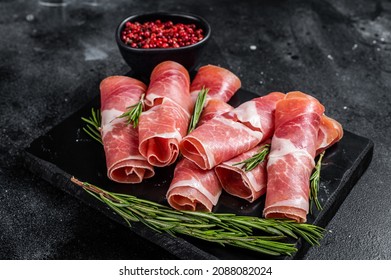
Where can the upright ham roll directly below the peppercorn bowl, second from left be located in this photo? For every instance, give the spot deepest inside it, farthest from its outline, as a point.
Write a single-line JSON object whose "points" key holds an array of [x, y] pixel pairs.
{"points": [[169, 108]]}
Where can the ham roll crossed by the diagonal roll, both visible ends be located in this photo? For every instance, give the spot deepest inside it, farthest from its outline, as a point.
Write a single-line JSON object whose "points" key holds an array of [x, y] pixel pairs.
{"points": [[193, 188]]}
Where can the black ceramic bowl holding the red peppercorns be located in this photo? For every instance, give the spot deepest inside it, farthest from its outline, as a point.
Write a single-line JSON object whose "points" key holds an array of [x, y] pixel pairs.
{"points": [[142, 61]]}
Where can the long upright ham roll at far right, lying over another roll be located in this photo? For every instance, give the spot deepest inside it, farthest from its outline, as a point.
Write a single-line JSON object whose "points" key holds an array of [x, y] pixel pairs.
{"points": [[291, 159]]}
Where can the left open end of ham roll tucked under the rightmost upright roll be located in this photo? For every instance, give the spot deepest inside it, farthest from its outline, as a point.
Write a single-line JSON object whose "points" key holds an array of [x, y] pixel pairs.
{"points": [[248, 185]]}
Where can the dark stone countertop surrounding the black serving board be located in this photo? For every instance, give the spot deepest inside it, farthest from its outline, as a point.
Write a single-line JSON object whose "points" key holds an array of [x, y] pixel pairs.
{"points": [[338, 51]]}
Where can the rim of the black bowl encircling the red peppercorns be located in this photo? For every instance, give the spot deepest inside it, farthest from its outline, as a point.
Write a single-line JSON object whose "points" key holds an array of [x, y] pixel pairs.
{"points": [[207, 31]]}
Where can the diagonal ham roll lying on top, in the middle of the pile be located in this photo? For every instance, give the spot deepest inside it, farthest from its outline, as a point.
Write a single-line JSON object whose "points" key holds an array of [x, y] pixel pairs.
{"points": [[231, 133]]}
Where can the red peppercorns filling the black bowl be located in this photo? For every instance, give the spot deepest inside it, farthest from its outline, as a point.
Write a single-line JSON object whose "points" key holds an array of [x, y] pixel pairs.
{"points": [[158, 34]]}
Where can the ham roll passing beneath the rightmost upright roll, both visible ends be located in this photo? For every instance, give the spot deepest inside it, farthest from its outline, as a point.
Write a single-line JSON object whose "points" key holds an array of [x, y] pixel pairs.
{"points": [[250, 185]]}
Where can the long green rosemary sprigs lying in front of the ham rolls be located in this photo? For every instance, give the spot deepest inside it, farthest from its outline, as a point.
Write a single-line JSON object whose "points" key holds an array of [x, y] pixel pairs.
{"points": [[223, 229]]}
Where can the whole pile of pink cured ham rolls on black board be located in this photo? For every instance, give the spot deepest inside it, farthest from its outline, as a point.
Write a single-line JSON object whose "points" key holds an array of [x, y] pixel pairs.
{"points": [[206, 160]]}
